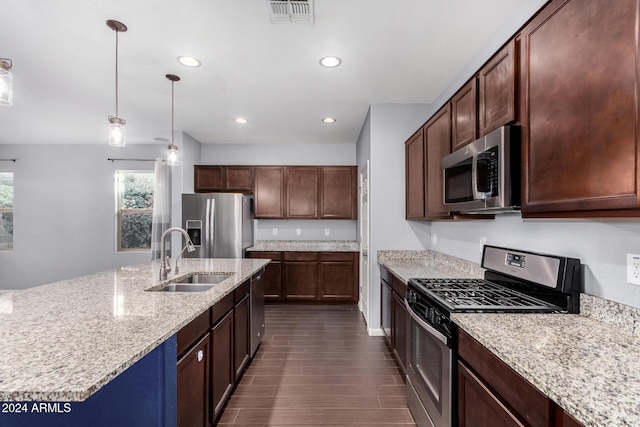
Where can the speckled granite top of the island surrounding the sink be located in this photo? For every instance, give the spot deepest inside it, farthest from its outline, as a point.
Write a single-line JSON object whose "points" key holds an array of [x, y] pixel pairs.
{"points": [[65, 340]]}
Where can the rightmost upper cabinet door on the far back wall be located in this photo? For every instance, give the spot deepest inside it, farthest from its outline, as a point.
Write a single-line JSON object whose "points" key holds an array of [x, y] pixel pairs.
{"points": [[338, 192]]}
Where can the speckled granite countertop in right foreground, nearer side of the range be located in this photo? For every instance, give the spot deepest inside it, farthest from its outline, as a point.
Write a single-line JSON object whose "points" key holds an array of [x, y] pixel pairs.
{"points": [[589, 368]]}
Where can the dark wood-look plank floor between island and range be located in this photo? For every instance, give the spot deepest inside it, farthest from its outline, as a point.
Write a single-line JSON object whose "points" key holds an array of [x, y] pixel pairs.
{"points": [[317, 366]]}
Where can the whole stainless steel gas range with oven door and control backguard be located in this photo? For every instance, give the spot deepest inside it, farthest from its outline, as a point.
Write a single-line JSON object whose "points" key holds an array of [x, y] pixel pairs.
{"points": [[515, 281]]}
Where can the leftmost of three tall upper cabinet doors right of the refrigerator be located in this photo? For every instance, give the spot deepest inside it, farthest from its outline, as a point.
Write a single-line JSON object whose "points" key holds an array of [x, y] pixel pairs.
{"points": [[268, 192]]}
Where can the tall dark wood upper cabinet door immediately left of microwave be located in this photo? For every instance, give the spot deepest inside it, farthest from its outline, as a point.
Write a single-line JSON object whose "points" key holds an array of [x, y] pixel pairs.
{"points": [[438, 144]]}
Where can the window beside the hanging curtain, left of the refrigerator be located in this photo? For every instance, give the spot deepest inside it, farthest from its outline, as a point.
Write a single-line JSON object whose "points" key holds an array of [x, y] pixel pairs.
{"points": [[135, 210]]}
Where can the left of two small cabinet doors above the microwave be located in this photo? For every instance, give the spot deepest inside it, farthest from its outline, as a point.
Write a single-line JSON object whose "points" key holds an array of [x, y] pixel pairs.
{"points": [[464, 120]]}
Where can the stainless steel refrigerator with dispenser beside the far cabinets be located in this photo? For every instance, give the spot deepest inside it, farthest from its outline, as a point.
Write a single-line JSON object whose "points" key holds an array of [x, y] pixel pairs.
{"points": [[220, 225]]}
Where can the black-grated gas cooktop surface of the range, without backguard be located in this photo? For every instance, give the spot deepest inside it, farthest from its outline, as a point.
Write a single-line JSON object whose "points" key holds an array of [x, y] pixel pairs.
{"points": [[480, 295]]}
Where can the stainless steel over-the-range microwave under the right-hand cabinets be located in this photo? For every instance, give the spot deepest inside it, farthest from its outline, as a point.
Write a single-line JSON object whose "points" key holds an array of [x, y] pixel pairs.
{"points": [[484, 176]]}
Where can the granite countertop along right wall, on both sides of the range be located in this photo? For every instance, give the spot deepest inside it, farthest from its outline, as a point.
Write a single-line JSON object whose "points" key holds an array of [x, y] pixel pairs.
{"points": [[588, 364]]}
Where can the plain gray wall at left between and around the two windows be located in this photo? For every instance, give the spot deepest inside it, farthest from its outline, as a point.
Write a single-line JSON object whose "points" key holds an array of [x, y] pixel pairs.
{"points": [[64, 213]]}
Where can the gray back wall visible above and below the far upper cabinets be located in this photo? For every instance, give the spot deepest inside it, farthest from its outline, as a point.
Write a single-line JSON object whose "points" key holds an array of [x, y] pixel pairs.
{"points": [[288, 154]]}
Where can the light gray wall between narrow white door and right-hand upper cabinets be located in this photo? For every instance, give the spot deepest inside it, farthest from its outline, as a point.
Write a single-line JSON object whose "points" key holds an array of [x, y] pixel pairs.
{"points": [[382, 143]]}
